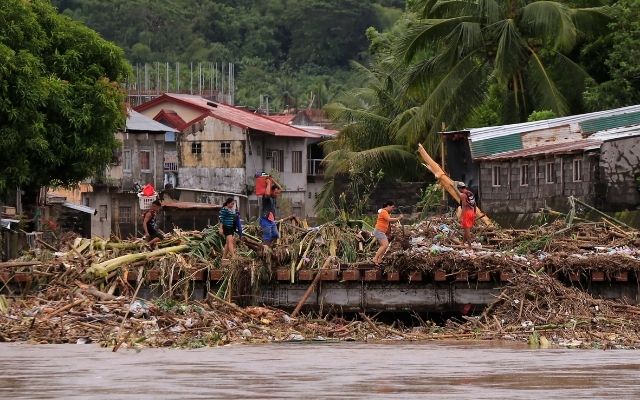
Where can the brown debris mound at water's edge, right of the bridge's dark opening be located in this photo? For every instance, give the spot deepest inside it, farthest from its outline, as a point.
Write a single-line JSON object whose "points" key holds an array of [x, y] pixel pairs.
{"points": [[540, 309]]}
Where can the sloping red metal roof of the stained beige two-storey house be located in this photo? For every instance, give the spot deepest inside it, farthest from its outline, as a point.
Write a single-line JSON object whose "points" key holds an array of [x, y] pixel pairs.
{"points": [[233, 115]]}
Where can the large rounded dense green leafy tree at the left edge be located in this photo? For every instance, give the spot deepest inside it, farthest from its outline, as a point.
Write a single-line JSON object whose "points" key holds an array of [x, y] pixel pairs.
{"points": [[60, 103]]}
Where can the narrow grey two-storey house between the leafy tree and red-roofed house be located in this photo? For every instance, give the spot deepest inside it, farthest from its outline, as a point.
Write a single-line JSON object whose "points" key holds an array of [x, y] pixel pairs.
{"points": [[145, 157]]}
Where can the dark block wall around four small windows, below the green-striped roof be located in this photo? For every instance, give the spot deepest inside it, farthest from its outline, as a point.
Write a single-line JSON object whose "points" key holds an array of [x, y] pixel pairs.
{"points": [[512, 197]]}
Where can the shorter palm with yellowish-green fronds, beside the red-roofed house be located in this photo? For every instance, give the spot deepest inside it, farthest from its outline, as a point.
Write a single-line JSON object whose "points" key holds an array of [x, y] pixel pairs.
{"points": [[368, 119]]}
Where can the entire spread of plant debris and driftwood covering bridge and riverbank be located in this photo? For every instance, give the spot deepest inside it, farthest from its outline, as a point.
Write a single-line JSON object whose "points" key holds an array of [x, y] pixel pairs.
{"points": [[89, 289]]}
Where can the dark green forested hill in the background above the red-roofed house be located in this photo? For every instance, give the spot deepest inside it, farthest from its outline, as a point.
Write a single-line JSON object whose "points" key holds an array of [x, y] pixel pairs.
{"points": [[291, 50]]}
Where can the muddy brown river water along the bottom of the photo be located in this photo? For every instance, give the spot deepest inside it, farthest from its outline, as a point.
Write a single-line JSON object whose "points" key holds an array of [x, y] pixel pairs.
{"points": [[318, 370]]}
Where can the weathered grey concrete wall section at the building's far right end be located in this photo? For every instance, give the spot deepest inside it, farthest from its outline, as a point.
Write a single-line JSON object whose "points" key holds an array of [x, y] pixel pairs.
{"points": [[620, 169]]}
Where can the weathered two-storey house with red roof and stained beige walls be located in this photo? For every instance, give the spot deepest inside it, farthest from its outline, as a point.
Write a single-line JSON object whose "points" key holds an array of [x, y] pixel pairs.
{"points": [[221, 148]]}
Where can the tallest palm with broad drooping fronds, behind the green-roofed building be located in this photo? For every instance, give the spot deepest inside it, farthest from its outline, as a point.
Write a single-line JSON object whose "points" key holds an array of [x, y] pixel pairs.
{"points": [[461, 47]]}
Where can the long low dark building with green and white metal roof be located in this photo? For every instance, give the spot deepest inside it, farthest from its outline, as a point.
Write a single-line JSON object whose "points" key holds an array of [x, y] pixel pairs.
{"points": [[522, 168]]}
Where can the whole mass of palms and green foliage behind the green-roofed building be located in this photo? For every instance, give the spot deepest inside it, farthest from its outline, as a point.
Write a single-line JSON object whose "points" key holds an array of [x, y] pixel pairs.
{"points": [[455, 64]]}
